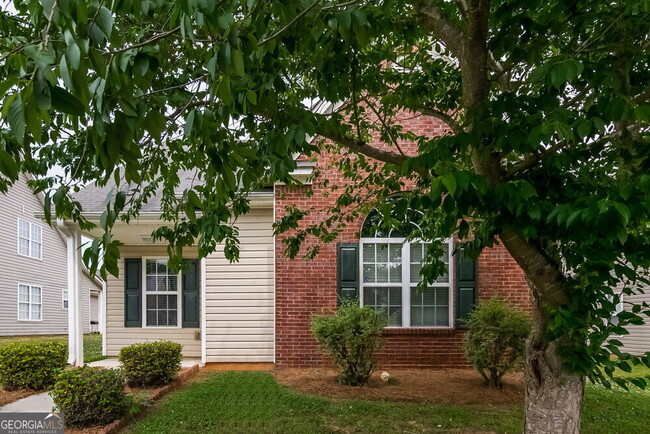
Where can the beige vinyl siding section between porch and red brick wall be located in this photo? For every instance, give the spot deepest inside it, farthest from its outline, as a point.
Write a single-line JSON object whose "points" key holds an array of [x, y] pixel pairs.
{"points": [[239, 299]]}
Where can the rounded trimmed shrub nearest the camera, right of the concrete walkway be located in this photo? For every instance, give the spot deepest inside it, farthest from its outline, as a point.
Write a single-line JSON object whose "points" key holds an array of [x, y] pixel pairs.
{"points": [[90, 396]]}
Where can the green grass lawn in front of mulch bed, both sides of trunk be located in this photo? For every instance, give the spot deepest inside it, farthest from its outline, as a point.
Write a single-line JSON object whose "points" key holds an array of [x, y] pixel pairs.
{"points": [[253, 401]]}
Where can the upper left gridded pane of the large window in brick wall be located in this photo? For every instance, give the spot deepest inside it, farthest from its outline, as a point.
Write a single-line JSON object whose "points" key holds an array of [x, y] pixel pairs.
{"points": [[382, 263]]}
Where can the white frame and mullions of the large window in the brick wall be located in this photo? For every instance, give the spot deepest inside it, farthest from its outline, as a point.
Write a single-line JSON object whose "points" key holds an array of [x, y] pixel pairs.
{"points": [[406, 283]]}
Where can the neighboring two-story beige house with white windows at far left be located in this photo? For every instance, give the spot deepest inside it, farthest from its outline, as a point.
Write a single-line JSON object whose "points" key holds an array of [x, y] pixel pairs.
{"points": [[33, 270]]}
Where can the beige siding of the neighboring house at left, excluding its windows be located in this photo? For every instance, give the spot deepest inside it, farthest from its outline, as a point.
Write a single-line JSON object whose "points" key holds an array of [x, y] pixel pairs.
{"points": [[50, 272]]}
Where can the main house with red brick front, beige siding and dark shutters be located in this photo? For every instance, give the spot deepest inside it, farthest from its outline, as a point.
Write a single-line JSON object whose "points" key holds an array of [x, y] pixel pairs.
{"points": [[258, 310]]}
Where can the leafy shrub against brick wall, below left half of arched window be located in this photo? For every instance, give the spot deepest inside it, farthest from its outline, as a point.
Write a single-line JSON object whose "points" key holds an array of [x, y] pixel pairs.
{"points": [[350, 337]]}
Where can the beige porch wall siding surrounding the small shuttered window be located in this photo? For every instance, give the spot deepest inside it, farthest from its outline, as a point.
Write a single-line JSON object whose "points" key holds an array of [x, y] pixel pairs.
{"points": [[118, 336]]}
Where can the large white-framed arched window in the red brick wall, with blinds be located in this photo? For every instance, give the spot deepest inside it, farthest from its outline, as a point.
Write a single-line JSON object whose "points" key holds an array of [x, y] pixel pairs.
{"points": [[390, 273]]}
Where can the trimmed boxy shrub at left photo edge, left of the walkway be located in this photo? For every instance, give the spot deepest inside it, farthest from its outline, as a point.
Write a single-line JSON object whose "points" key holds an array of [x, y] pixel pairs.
{"points": [[31, 365]]}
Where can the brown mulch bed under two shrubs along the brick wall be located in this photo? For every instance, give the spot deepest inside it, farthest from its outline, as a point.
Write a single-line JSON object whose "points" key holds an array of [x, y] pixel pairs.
{"points": [[449, 386]]}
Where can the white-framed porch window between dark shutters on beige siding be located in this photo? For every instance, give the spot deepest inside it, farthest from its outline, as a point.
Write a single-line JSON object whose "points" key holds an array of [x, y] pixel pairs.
{"points": [[161, 294]]}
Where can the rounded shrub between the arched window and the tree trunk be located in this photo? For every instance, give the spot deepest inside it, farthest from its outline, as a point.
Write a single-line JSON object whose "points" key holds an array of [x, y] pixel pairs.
{"points": [[495, 339]]}
